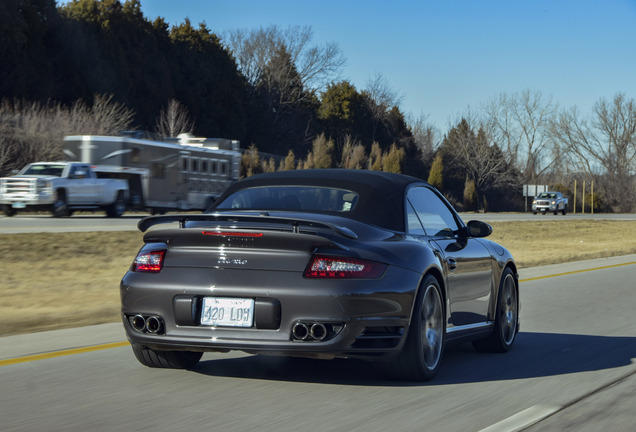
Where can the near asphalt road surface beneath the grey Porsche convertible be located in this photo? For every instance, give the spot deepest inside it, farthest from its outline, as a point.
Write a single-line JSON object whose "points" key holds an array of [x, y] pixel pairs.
{"points": [[572, 368]]}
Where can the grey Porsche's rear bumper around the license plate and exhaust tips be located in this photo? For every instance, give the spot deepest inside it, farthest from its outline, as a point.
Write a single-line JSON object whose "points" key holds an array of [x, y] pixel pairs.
{"points": [[364, 318]]}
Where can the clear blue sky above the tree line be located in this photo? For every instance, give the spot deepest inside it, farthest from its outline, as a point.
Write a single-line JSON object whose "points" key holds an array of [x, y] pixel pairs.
{"points": [[444, 57]]}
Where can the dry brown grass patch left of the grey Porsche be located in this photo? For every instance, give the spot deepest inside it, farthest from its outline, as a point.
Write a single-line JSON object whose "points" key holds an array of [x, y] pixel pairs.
{"points": [[62, 280]]}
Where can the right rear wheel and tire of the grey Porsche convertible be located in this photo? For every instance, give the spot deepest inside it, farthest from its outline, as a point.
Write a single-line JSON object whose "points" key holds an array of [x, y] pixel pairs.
{"points": [[421, 356]]}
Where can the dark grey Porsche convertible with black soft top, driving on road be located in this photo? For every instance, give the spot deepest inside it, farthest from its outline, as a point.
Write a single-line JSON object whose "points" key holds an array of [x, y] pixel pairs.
{"points": [[320, 264]]}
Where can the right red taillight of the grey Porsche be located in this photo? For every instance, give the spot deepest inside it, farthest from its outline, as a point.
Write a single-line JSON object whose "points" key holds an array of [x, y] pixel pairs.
{"points": [[325, 267]]}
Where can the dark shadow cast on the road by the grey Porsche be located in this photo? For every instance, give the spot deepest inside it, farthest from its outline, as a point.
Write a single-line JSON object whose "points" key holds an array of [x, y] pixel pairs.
{"points": [[534, 355]]}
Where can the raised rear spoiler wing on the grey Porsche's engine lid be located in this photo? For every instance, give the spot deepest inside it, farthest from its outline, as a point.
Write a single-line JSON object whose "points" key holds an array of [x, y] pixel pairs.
{"points": [[295, 223]]}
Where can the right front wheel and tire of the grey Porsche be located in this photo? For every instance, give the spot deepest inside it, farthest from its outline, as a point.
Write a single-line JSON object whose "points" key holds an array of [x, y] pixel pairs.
{"points": [[507, 318]]}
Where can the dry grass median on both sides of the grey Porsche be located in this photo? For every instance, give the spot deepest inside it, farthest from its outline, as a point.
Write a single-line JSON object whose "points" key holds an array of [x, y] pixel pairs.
{"points": [[62, 280]]}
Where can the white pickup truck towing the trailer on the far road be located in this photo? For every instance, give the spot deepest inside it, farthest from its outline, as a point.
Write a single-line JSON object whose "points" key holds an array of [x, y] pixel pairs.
{"points": [[61, 187]]}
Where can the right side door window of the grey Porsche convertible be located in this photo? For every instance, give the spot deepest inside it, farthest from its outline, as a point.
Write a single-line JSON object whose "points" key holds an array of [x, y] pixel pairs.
{"points": [[434, 215]]}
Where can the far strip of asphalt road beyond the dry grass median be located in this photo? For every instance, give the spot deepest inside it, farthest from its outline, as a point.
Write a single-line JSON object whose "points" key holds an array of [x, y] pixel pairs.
{"points": [[31, 223]]}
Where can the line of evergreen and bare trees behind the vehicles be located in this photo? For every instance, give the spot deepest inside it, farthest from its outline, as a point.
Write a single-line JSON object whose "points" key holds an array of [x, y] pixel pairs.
{"points": [[100, 67]]}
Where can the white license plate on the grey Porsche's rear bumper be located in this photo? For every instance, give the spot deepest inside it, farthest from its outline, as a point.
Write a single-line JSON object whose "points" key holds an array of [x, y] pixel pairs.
{"points": [[229, 312]]}
